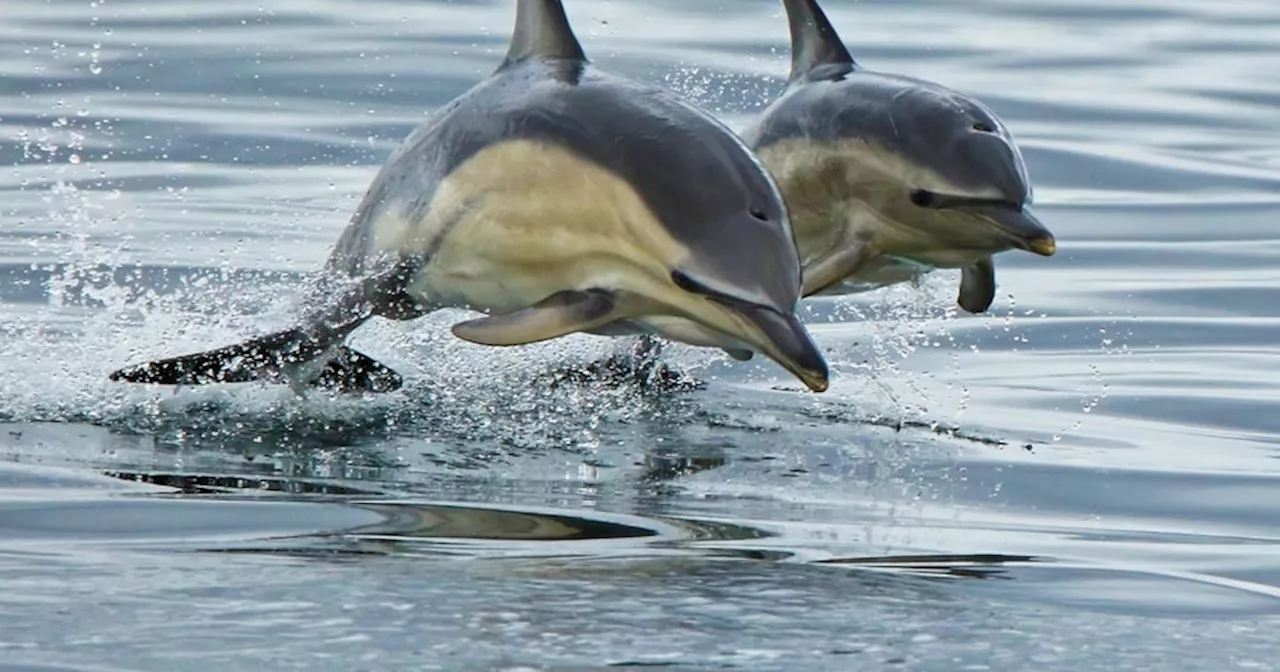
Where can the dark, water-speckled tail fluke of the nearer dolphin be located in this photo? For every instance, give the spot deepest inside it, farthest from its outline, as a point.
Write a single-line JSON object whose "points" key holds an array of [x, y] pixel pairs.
{"points": [[285, 356]]}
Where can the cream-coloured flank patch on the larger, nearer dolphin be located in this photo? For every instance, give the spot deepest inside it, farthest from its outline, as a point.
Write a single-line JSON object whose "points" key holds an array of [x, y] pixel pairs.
{"points": [[524, 220]]}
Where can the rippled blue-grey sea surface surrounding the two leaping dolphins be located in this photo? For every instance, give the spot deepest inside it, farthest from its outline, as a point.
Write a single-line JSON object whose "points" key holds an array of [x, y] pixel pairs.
{"points": [[1085, 479]]}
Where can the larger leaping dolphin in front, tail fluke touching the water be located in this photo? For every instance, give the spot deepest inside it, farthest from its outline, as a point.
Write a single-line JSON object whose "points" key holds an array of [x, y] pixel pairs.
{"points": [[555, 199]]}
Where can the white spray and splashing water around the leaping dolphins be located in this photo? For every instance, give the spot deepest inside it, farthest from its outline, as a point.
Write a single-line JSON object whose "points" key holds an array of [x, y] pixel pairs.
{"points": [[102, 314]]}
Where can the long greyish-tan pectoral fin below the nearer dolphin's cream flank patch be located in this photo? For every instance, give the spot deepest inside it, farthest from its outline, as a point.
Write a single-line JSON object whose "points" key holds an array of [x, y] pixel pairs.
{"points": [[561, 314]]}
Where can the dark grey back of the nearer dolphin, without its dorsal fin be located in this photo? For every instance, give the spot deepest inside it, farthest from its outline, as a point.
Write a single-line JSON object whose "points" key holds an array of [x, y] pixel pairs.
{"points": [[633, 130]]}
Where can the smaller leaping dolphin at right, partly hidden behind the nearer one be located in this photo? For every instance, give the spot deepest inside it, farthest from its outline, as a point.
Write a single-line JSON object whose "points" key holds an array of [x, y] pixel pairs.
{"points": [[889, 177]]}
